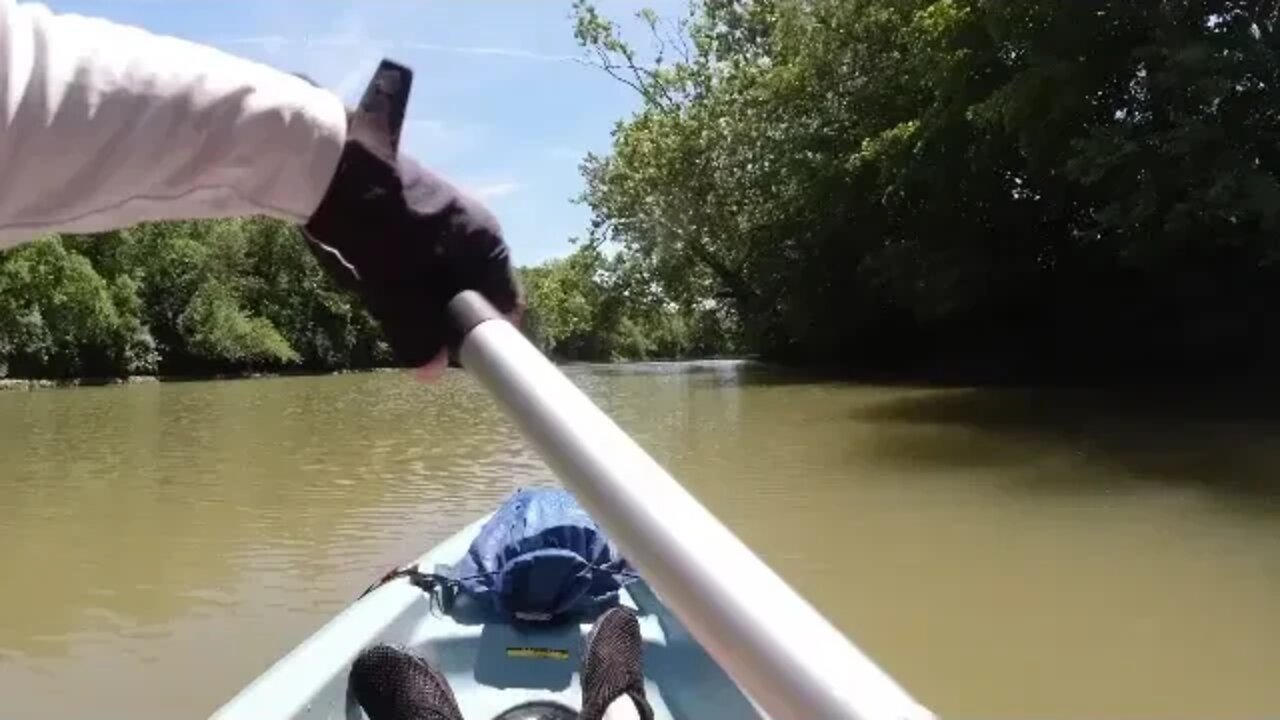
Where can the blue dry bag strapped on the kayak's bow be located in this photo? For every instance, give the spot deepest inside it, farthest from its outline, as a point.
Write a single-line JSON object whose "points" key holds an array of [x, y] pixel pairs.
{"points": [[542, 559]]}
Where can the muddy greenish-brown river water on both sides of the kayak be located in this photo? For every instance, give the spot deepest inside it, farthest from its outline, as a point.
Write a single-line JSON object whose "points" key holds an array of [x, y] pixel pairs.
{"points": [[1005, 554]]}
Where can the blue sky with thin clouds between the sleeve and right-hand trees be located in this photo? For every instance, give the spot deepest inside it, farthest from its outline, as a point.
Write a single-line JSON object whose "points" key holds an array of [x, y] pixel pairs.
{"points": [[499, 107]]}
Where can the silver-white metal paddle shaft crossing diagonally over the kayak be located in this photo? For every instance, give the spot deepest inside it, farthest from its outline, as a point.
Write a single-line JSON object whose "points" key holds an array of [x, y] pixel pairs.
{"points": [[789, 659]]}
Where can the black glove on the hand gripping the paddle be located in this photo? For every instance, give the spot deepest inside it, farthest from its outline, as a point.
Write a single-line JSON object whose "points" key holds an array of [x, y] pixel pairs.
{"points": [[401, 238]]}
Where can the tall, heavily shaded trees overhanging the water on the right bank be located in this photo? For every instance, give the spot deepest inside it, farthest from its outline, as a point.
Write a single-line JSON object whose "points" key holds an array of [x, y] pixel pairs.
{"points": [[971, 185]]}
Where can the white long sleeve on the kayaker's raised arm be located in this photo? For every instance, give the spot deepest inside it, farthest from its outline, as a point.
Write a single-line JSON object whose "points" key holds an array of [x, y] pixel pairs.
{"points": [[103, 126]]}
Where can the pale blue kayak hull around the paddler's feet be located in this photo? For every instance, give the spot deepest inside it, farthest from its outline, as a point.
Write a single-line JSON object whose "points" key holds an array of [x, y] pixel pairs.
{"points": [[491, 667]]}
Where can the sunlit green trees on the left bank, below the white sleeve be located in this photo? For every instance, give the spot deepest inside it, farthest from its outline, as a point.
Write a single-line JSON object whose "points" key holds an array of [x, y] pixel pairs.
{"points": [[193, 298]]}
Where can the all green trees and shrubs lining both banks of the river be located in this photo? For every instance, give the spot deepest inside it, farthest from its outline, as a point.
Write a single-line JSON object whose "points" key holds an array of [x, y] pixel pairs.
{"points": [[932, 190]]}
